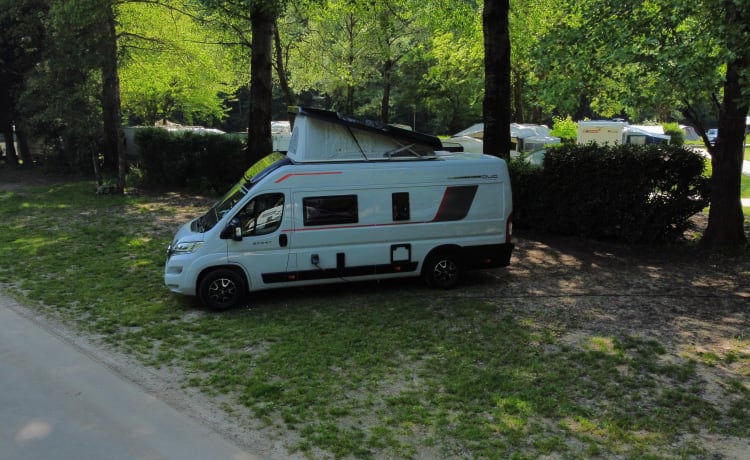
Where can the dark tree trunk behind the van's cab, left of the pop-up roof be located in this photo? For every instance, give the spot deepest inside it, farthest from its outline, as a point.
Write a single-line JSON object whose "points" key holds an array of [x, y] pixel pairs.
{"points": [[259, 140]]}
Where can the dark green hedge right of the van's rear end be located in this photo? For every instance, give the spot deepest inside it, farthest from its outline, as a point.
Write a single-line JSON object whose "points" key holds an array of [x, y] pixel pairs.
{"points": [[637, 194]]}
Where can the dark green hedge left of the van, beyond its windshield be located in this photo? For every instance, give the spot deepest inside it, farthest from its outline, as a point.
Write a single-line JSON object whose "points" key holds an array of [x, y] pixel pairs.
{"points": [[199, 162]]}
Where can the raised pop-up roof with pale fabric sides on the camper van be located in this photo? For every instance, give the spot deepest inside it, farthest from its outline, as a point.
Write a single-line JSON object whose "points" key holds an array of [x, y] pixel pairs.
{"points": [[320, 135]]}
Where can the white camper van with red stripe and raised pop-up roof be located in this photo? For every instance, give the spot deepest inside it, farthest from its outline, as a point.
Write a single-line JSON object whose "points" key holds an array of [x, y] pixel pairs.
{"points": [[349, 201]]}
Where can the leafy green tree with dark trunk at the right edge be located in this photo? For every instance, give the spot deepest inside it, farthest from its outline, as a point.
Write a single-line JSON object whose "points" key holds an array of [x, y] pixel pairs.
{"points": [[684, 54]]}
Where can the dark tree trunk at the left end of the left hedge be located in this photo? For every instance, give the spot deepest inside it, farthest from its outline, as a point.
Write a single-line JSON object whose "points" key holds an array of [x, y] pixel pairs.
{"points": [[114, 153]]}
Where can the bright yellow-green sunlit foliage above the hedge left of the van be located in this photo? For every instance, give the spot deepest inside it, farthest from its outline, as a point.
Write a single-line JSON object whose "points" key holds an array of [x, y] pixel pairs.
{"points": [[170, 69]]}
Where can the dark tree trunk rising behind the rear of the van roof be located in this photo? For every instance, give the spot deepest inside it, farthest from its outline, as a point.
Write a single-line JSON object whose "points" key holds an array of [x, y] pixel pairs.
{"points": [[497, 78]]}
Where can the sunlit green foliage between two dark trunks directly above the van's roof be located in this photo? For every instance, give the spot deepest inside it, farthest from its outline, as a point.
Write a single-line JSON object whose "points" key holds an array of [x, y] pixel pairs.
{"points": [[426, 56]]}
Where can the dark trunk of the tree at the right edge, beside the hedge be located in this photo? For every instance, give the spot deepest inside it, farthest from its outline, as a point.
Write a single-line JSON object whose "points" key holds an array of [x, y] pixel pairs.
{"points": [[725, 231]]}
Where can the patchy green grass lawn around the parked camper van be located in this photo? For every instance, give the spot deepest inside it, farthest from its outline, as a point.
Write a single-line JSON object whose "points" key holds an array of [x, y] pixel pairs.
{"points": [[361, 371]]}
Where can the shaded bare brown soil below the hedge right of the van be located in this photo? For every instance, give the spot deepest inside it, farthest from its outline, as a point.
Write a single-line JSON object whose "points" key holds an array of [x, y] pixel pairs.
{"points": [[696, 307]]}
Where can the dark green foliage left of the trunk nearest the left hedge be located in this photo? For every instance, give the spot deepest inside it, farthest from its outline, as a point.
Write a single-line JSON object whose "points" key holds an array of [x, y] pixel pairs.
{"points": [[61, 102]]}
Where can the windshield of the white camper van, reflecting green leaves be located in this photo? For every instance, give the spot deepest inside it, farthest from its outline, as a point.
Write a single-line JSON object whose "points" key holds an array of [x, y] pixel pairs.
{"points": [[251, 177]]}
